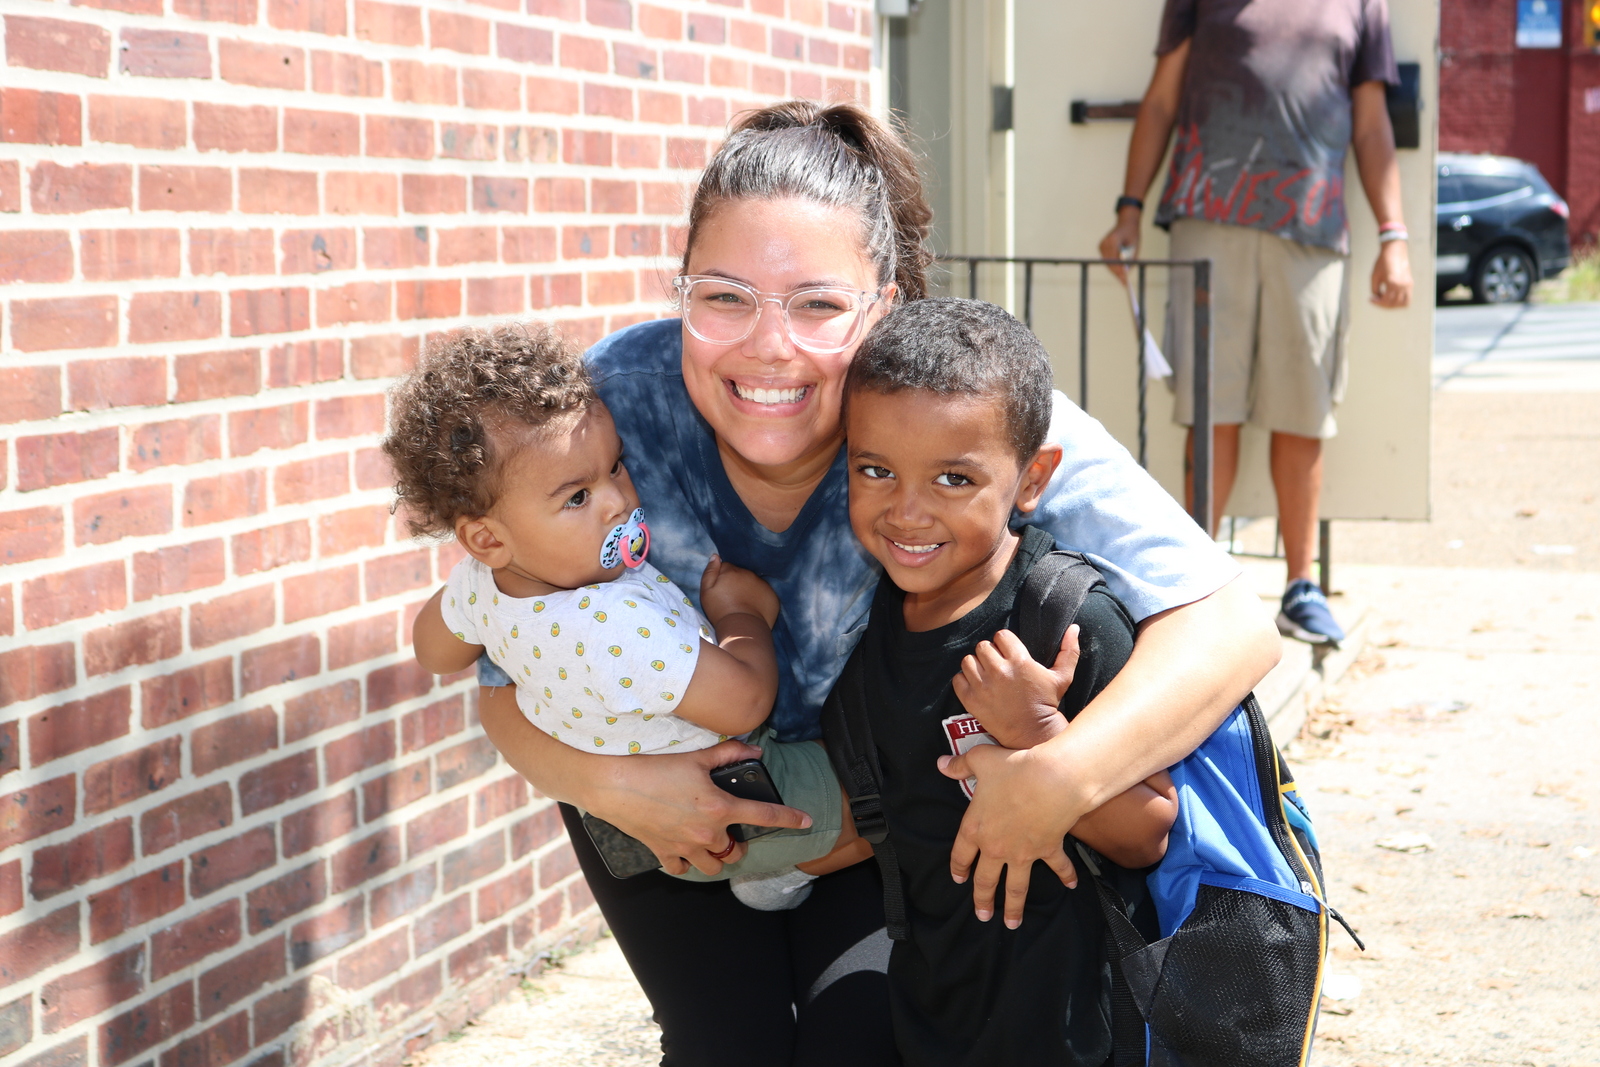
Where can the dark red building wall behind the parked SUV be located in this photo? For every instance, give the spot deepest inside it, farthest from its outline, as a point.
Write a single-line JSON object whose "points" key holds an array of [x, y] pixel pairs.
{"points": [[1508, 102]]}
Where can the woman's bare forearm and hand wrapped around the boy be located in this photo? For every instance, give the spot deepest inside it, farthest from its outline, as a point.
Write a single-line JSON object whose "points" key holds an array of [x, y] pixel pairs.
{"points": [[1191, 666]]}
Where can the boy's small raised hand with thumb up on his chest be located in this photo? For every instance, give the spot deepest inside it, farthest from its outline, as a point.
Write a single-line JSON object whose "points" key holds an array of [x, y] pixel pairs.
{"points": [[1015, 697]]}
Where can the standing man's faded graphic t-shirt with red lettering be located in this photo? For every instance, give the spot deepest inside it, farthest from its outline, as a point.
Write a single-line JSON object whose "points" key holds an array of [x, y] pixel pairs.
{"points": [[1265, 118]]}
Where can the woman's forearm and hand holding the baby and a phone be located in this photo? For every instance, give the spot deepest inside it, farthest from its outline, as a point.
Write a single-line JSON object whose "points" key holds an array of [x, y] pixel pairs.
{"points": [[668, 802]]}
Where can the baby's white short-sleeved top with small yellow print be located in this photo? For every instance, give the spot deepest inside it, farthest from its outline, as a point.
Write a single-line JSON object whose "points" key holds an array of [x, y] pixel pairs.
{"points": [[601, 668]]}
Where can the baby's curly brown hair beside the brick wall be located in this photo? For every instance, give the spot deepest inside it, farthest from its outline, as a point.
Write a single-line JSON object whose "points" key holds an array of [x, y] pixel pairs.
{"points": [[454, 417]]}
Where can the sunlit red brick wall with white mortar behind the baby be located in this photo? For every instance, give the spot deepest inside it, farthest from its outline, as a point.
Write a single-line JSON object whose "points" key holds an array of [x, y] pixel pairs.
{"points": [[238, 823]]}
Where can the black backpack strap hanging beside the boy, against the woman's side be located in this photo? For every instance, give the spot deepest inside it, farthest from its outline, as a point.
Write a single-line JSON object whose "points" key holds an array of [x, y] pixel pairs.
{"points": [[855, 757]]}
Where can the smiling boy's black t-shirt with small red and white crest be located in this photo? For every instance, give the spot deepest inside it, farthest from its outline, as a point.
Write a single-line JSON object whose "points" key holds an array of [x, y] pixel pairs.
{"points": [[969, 993]]}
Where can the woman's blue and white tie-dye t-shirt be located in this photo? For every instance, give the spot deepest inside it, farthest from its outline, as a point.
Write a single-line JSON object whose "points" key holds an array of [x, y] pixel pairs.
{"points": [[1100, 503]]}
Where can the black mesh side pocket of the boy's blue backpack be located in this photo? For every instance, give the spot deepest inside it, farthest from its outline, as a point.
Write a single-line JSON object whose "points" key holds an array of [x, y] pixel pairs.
{"points": [[1234, 985]]}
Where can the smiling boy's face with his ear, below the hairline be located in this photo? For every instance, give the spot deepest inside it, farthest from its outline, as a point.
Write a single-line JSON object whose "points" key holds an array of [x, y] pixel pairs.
{"points": [[934, 482]]}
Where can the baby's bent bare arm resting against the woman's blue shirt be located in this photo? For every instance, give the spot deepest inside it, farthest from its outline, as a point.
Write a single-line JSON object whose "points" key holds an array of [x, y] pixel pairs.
{"points": [[737, 679]]}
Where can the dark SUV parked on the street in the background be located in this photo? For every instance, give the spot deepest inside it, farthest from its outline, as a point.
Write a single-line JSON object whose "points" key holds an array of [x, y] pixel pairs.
{"points": [[1502, 228]]}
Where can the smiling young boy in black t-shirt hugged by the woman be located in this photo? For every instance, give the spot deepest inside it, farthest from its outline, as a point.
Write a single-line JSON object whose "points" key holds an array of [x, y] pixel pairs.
{"points": [[948, 404]]}
